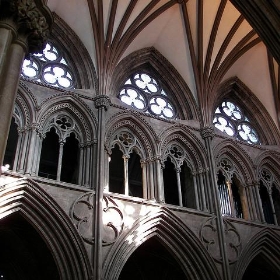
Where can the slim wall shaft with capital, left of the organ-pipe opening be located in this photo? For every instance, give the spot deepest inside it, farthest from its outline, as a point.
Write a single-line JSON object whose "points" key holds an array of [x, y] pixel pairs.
{"points": [[207, 134]]}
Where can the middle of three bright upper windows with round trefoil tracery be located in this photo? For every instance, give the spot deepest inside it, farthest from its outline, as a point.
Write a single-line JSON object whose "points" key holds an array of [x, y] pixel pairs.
{"points": [[143, 92]]}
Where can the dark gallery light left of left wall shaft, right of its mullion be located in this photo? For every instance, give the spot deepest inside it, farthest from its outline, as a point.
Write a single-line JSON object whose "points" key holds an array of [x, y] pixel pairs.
{"points": [[70, 160]]}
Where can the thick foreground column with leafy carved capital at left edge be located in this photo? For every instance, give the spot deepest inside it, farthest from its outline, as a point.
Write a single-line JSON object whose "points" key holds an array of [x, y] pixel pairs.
{"points": [[24, 27]]}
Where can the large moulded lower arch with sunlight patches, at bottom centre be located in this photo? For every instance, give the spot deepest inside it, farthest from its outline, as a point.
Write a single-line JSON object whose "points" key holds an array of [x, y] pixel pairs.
{"points": [[172, 233]]}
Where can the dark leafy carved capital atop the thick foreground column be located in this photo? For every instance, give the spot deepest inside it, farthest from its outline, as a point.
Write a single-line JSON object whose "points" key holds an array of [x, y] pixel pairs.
{"points": [[32, 18]]}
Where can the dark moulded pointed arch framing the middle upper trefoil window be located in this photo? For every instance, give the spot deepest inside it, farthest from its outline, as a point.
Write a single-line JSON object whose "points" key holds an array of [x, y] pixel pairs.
{"points": [[154, 63]]}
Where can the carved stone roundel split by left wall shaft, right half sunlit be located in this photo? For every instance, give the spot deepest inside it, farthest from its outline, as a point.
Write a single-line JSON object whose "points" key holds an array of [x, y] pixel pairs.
{"points": [[82, 214]]}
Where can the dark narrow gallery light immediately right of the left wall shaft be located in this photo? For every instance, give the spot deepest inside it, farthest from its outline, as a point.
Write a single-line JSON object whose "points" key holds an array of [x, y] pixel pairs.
{"points": [[116, 174]]}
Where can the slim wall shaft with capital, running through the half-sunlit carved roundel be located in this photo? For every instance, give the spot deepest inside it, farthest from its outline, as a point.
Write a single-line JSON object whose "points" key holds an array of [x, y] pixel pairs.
{"points": [[101, 103]]}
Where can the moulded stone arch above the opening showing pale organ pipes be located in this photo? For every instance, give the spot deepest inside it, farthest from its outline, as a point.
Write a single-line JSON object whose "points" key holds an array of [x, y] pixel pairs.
{"points": [[243, 165]]}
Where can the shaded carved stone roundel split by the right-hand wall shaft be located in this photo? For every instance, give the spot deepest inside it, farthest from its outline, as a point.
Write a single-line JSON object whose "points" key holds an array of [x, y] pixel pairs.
{"points": [[208, 235]]}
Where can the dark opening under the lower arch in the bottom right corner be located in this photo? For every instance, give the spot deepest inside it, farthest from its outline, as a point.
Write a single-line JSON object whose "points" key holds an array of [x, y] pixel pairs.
{"points": [[261, 268]]}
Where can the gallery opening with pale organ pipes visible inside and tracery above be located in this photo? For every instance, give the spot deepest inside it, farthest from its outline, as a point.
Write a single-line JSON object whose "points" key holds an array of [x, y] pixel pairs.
{"points": [[230, 191]]}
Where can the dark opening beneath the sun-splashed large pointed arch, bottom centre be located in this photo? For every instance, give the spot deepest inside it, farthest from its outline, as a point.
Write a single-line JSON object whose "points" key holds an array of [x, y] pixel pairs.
{"points": [[152, 261]]}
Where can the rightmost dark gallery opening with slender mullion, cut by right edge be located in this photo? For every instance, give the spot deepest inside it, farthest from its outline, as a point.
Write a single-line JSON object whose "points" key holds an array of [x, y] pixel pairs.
{"points": [[270, 198]]}
